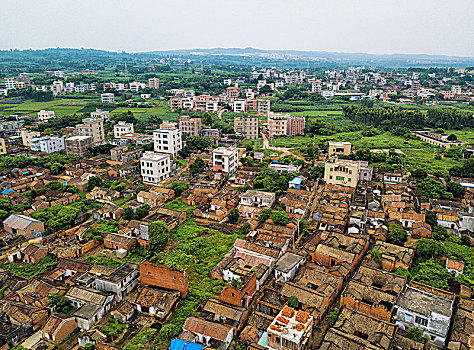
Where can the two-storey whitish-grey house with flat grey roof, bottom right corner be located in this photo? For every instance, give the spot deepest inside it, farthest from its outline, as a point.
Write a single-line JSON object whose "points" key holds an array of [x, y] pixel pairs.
{"points": [[426, 308]]}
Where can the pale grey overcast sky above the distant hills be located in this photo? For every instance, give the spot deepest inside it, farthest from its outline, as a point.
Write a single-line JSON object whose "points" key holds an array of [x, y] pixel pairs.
{"points": [[372, 26]]}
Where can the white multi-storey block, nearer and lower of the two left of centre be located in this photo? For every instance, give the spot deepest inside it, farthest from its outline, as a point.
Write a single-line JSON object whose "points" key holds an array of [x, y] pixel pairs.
{"points": [[155, 167]]}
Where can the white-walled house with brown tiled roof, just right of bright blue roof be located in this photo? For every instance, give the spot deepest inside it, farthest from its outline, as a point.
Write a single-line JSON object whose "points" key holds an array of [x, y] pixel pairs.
{"points": [[211, 334]]}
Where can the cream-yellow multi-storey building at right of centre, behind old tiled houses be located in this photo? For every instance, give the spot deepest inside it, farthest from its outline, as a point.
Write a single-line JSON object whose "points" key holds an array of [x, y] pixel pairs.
{"points": [[341, 172]]}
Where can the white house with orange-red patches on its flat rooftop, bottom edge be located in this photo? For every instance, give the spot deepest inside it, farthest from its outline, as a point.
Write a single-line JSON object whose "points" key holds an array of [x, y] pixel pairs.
{"points": [[290, 330]]}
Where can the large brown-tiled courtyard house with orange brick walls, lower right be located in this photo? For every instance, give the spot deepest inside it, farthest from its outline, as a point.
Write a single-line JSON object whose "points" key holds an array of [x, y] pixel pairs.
{"points": [[373, 292]]}
